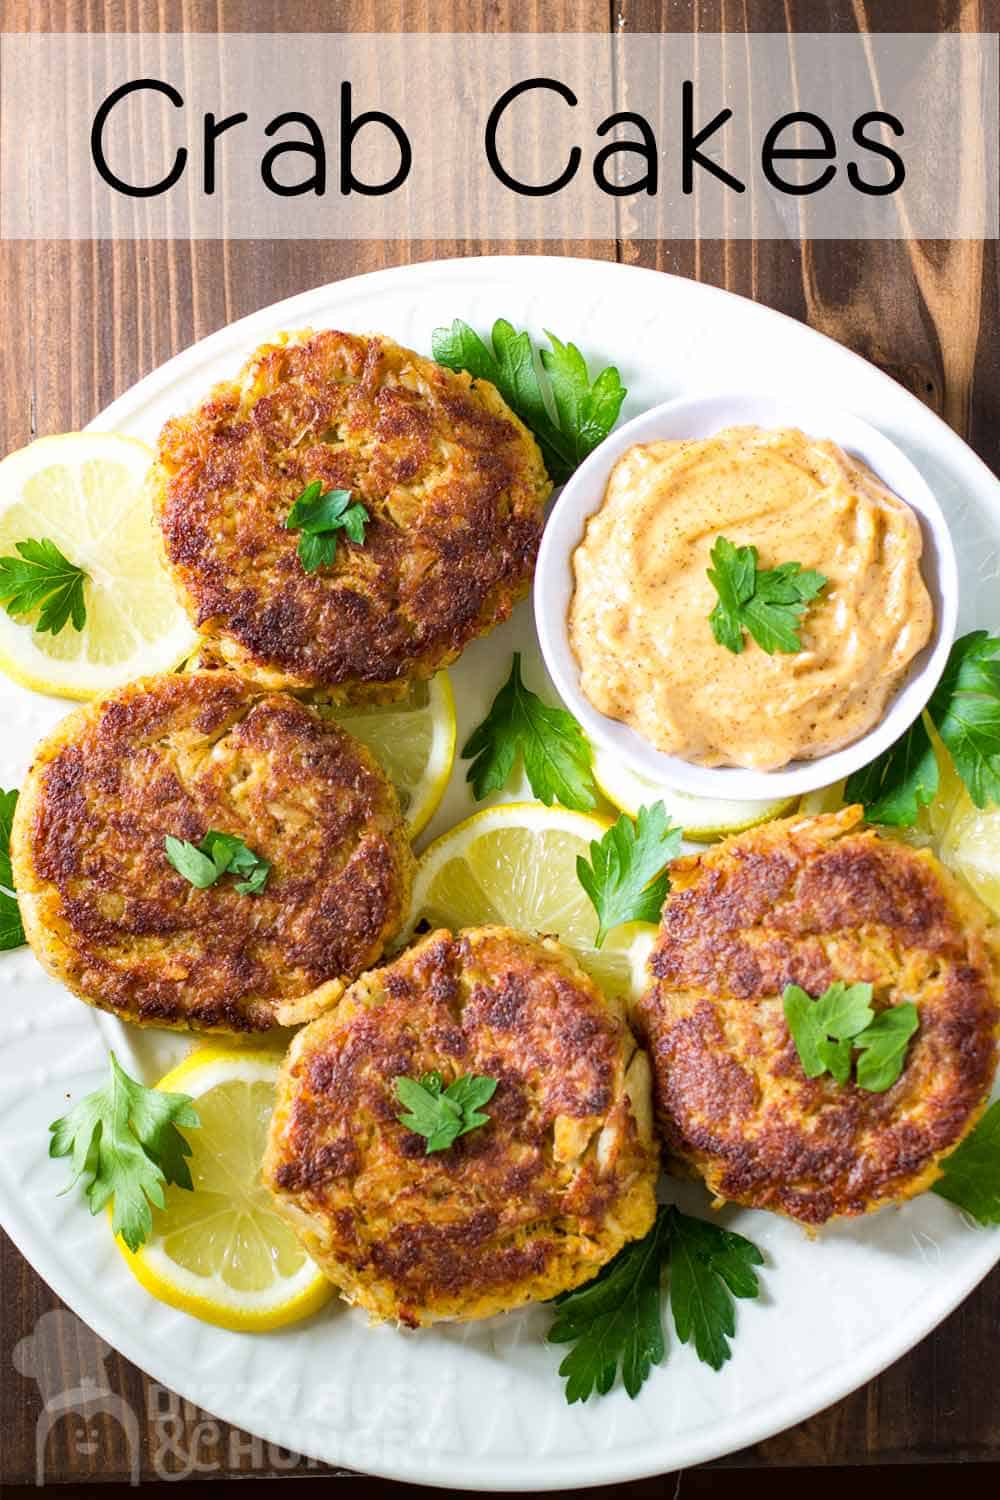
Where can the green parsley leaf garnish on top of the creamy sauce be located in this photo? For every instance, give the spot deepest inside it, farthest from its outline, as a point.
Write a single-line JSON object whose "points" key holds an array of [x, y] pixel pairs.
{"points": [[767, 602]]}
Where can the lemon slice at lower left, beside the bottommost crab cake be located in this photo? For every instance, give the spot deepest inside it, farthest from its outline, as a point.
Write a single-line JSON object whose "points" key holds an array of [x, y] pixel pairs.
{"points": [[221, 1253]]}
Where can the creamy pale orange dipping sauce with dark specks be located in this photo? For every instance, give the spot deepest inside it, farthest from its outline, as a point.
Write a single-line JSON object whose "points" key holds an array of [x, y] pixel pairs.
{"points": [[639, 614]]}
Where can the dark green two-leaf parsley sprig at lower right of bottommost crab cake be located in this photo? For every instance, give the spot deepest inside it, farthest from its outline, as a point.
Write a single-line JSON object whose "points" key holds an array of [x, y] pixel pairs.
{"points": [[615, 1322]]}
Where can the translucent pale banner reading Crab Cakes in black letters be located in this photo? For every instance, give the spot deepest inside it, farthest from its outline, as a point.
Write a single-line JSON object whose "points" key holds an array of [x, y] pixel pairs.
{"points": [[499, 137]]}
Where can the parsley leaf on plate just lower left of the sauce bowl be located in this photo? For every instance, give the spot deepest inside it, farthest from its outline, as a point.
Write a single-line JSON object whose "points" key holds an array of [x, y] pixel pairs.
{"points": [[555, 751]]}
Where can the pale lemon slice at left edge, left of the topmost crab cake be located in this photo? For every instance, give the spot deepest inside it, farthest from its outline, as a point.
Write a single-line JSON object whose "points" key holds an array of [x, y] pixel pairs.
{"points": [[85, 491]]}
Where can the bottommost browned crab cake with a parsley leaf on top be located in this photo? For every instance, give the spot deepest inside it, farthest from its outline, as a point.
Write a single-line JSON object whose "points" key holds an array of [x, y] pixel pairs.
{"points": [[518, 1210]]}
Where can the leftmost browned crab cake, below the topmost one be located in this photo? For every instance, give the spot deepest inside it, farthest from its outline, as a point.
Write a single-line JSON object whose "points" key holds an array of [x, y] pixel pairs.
{"points": [[109, 914]]}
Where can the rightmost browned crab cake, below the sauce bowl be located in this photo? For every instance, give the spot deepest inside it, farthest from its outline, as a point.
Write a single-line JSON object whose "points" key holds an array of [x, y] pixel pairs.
{"points": [[809, 902]]}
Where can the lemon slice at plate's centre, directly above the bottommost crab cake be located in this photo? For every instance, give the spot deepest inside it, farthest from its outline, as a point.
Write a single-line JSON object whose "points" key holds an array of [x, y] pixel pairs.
{"points": [[515, 865]]}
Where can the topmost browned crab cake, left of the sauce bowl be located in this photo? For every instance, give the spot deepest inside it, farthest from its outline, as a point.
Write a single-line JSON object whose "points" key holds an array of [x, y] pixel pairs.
{"points": [[454, 484]]}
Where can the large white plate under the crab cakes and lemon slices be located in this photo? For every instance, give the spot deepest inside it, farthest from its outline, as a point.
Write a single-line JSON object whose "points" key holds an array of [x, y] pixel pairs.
{"points": [[484, 1406]]}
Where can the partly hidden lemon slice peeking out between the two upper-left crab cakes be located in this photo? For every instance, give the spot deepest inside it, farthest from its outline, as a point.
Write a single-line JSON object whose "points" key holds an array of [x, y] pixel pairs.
{"points": [[415, 743]]}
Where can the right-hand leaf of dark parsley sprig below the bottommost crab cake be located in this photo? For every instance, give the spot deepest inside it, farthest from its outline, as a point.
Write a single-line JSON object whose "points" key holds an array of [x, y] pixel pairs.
{"points": [[708, 1268]]}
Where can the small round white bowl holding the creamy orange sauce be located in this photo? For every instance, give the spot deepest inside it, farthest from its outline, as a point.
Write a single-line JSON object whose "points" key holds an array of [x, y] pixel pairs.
{"points": [[699, 418]]}
